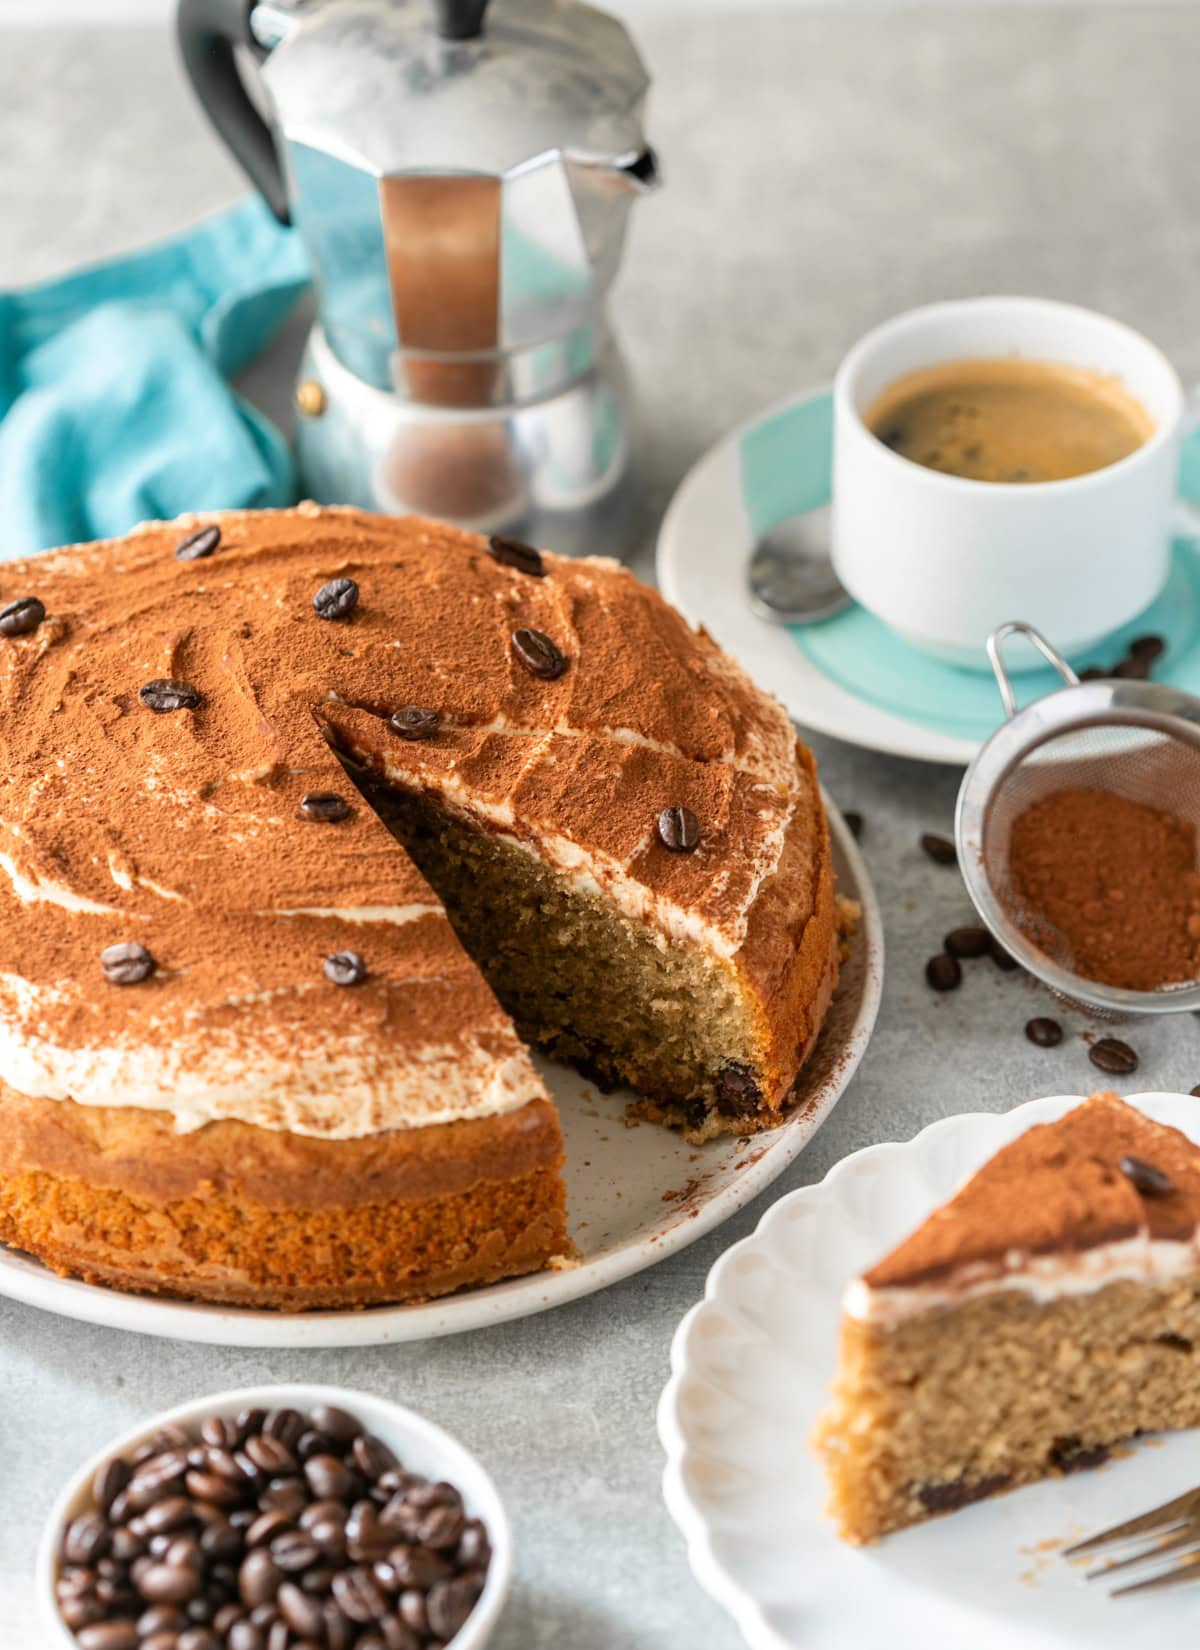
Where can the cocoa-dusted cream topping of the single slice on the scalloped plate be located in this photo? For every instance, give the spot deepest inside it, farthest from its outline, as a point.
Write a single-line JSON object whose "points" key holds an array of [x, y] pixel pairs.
{"points": [[1098, 1195]]}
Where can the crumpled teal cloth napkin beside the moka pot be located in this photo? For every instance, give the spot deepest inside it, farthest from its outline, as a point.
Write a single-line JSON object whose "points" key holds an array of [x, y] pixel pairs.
{"points": [[115, 385]]}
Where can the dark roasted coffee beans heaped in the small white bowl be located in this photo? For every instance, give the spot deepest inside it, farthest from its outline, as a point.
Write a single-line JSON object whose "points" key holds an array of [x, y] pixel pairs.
{"points": [[272, 1530]]}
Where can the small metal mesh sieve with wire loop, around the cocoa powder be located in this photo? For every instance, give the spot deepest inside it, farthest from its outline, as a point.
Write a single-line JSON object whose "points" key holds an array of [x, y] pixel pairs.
{"points": [[1136, 740]]}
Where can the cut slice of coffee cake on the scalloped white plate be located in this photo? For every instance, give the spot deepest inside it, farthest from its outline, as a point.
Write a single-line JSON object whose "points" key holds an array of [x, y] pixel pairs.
{"points": [[1042, 1316]]}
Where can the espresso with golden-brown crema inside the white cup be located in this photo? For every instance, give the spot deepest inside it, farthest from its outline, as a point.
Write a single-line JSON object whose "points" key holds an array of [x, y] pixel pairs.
{"points": [[1009, 420]]}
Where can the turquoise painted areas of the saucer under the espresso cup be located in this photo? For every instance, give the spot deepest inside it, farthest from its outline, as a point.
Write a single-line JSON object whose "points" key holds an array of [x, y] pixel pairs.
{"points": [[787, 468]]}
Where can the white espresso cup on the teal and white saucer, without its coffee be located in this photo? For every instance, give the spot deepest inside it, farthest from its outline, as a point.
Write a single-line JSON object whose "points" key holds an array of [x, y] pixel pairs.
{"points": [[945, 560]]}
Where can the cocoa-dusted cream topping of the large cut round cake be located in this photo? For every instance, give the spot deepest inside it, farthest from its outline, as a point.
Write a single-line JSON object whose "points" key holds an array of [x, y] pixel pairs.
{"points": [[202, 915]]}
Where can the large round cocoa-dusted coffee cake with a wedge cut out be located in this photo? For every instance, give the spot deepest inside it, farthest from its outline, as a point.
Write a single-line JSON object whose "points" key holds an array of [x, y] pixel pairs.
{"points": [[281, 874]]}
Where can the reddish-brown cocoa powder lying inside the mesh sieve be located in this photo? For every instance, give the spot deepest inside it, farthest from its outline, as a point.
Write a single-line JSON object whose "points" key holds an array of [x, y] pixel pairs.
{"points": [[1108, 887]]}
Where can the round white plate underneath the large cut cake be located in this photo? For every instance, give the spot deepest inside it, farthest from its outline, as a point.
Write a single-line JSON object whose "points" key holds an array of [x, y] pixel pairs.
{"points": [[636, 1195]]}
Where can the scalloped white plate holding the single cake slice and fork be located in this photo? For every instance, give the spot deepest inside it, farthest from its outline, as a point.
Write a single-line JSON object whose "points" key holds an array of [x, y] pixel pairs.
{"points": [[750, 1372]]}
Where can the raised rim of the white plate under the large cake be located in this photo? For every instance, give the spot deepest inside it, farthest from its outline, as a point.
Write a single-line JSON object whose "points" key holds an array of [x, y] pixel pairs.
{"points": [[750, 1171]]}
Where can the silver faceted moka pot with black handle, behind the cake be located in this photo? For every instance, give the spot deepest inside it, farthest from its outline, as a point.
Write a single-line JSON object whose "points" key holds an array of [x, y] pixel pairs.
{"points": [[461, 179]]}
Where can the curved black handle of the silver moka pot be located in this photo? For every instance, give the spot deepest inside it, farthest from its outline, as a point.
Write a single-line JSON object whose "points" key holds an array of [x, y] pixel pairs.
{"points": [[209, 31]]}
